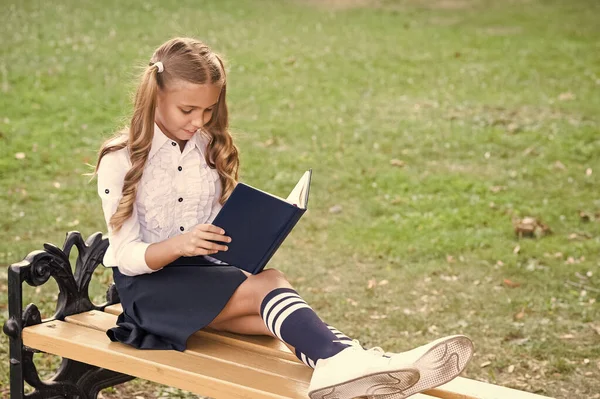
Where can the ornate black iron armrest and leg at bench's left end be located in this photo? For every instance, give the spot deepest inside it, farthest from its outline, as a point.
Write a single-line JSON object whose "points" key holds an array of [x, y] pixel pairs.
{"points": [[73, 380]]}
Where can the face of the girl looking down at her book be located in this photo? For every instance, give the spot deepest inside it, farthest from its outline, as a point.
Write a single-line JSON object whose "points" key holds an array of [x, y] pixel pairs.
{"points": [[185, 107]]}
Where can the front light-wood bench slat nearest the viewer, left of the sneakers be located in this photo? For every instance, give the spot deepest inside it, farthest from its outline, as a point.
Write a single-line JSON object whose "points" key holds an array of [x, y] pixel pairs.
{"points": [[200, 375]]}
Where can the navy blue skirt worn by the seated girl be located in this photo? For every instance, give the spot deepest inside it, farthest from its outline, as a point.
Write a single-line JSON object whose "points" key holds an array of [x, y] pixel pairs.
{"points": [[161, 310]]}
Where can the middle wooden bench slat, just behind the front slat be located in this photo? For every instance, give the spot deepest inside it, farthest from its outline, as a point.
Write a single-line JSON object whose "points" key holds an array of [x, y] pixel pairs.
{"points": [[207, 347]]}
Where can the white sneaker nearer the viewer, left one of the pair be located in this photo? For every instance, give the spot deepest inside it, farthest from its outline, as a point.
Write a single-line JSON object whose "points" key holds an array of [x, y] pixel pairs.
{"points": [[358, 372]]}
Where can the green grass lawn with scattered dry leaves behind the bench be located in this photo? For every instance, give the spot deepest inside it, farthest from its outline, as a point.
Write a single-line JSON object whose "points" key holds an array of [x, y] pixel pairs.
{"points": [[479, 99]]}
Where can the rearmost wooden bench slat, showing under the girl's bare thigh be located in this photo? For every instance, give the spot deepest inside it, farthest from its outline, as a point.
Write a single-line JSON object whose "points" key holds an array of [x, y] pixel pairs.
{"points": [[260, 344]]}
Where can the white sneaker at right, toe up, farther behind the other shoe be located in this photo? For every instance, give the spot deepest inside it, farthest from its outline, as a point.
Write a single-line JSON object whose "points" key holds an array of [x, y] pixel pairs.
{"points": [[438, 362]]}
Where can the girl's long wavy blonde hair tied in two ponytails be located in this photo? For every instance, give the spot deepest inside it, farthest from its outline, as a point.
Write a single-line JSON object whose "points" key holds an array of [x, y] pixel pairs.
{"points": [[184, 59]]}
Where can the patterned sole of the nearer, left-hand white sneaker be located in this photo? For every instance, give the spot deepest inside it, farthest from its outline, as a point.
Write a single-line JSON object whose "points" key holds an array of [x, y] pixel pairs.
{"points": [[378, 384]]}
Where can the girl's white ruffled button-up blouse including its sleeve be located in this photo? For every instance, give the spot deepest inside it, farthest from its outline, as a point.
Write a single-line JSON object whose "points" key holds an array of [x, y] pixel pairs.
{"points": [[177, 191]]}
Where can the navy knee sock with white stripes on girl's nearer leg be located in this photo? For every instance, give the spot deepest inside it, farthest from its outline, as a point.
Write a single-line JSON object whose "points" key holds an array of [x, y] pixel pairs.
{"points": [[291, 320]]}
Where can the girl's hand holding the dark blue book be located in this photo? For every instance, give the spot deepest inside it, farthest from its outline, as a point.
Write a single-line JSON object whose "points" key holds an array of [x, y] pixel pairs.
{"points": [[195, 242]]}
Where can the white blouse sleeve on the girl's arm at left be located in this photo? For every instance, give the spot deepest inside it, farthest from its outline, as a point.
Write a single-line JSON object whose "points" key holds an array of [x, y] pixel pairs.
{"points": [[128, 248]]}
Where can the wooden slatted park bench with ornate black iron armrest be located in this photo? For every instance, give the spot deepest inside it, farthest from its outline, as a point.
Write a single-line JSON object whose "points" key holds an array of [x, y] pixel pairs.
{"points": [[215, 364]]}
